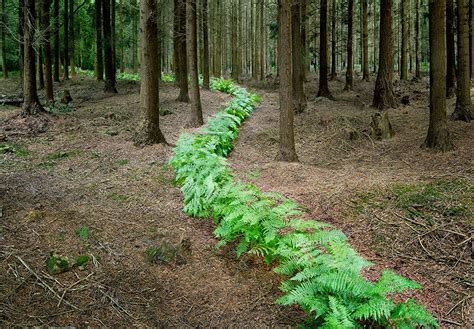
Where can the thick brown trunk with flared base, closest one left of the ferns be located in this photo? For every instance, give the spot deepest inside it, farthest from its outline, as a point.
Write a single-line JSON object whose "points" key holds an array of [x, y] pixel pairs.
{"points": [[149, 131]]}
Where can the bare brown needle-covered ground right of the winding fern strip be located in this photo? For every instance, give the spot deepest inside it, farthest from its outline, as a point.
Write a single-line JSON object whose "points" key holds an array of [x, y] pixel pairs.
{"points": [[338, 161]]}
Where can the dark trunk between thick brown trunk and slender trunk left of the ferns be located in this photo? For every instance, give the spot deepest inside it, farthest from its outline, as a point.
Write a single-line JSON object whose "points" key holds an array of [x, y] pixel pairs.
{"points": [[182, 53]]}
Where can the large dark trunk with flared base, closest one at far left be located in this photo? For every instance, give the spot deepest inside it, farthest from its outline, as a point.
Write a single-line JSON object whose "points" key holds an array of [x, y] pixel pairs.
{"points": [[31, 104]]}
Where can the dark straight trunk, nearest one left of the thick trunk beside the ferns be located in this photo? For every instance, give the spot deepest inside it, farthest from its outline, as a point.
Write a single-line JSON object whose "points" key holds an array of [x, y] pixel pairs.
{"points": [[108, 52]]}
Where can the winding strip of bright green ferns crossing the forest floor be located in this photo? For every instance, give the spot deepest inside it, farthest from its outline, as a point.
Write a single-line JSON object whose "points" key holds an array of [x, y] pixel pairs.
{"points": [[322, 272]]}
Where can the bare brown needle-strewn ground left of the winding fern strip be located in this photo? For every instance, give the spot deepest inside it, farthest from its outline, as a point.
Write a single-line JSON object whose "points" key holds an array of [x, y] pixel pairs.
{"points": [[83, 171]]}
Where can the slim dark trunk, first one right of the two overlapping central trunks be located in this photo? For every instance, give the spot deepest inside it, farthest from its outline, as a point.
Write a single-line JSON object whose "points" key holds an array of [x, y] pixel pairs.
{"points": [[323, 52]]}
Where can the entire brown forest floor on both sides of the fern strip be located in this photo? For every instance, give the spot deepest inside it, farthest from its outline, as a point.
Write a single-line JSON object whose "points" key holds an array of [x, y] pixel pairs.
{"points": [[72, 183]]}
